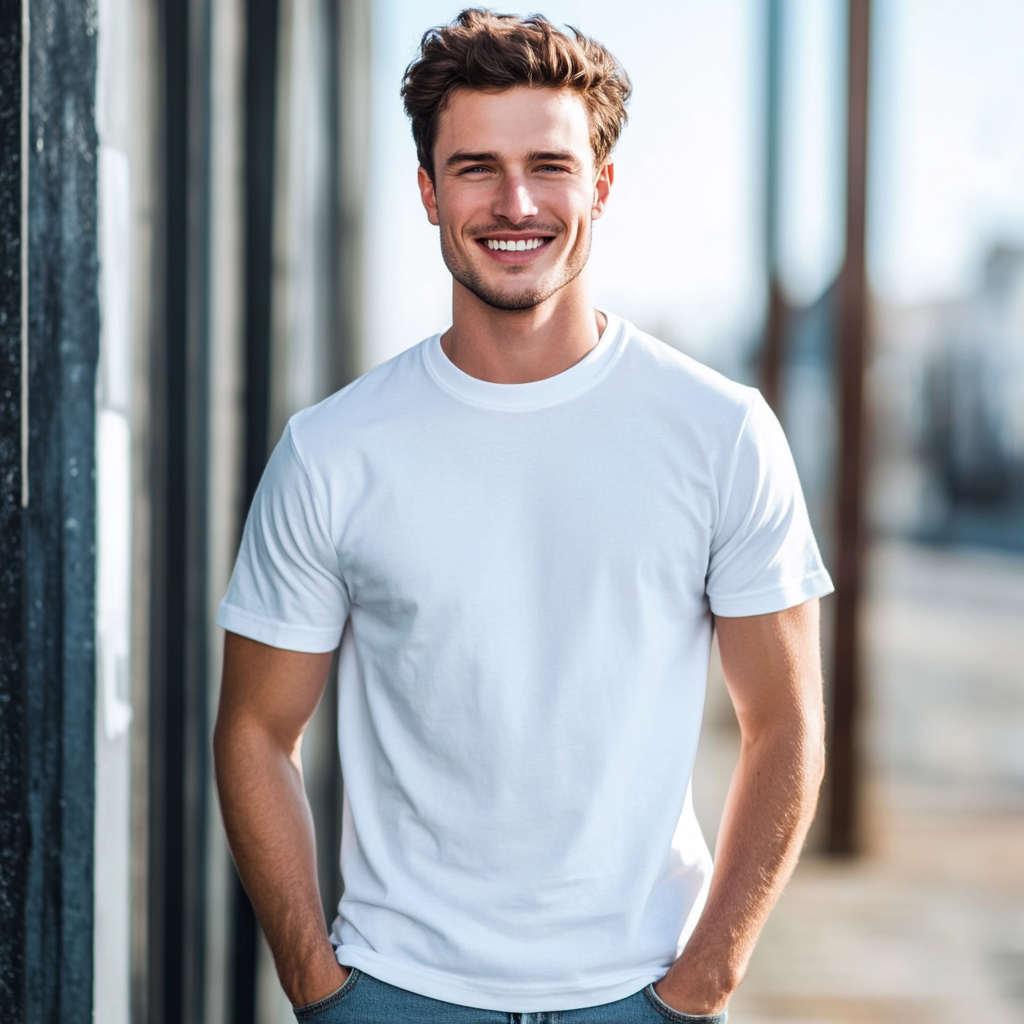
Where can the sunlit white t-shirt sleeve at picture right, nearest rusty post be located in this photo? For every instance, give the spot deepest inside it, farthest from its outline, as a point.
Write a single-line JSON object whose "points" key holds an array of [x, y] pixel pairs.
{"points": [[763, 556]]}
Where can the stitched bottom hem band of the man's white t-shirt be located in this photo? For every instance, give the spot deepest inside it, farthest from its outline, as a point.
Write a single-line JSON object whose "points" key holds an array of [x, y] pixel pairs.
{"points": [[514, 1000]]}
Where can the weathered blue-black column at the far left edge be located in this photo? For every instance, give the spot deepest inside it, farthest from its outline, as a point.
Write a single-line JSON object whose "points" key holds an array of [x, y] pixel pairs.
{"points": [[48, 658]]}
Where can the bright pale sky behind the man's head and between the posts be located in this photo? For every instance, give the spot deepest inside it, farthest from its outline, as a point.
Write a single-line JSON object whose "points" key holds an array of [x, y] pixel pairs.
{"points": [[679, 250]]}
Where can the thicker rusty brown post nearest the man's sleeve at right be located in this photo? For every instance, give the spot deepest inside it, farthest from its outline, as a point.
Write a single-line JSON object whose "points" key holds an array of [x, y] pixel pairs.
{"points": [[844, 776]]}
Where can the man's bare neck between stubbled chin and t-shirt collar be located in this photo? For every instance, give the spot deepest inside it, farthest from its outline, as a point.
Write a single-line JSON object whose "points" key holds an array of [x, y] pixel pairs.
{"points": [[525, 346]]}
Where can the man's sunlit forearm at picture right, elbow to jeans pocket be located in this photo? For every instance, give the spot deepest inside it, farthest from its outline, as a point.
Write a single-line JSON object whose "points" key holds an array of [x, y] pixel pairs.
{"points": [[769, 812]]}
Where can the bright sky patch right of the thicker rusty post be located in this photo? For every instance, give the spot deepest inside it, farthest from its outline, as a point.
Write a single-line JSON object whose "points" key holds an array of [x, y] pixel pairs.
{"points": [[948, 167]]}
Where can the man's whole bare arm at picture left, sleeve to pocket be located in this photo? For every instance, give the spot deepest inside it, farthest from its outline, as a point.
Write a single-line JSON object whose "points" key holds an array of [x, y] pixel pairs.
{"points": [[268, 698]]}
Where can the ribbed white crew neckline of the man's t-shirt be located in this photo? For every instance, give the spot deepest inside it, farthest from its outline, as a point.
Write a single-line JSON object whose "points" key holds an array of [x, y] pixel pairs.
{"points": [[535, 395]]}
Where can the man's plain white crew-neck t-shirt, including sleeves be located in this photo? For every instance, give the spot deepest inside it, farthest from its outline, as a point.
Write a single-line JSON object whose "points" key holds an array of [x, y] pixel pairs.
{"points": [[523, 579]]}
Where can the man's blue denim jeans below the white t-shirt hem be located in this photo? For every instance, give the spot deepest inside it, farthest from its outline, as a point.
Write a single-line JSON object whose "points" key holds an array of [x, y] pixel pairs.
{"points": [[364, 1000]]}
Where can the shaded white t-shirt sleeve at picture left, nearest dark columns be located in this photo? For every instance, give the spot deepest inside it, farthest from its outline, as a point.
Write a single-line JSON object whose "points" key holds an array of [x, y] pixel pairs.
{"points": [[287, 589]]}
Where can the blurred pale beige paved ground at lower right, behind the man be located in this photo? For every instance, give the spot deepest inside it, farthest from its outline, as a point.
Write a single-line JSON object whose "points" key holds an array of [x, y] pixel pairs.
{"points": [[929, 925]]}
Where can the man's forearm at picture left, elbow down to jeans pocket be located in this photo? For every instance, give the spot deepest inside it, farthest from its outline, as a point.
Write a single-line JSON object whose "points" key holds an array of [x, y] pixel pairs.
{"points": [[271, 833]]}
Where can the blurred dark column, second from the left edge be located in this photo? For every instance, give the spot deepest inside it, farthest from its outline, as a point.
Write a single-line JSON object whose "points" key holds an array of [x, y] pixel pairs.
{"points": [[180, 761]]}
